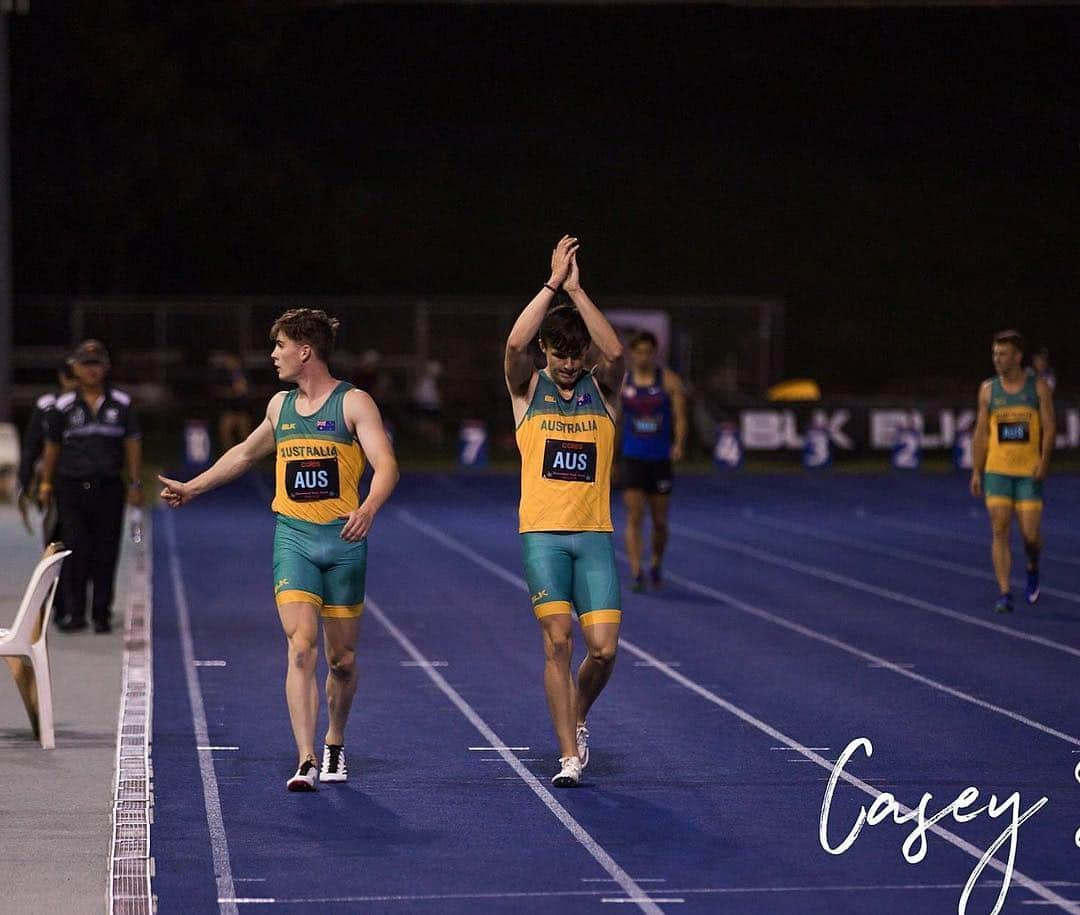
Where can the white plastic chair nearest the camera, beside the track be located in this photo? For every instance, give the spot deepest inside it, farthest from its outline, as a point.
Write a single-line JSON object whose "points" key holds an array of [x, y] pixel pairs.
{"points": [[28, 639]]}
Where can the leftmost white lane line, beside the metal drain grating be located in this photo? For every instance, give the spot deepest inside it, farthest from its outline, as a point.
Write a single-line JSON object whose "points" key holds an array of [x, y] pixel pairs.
{"points": [[219, 839]]}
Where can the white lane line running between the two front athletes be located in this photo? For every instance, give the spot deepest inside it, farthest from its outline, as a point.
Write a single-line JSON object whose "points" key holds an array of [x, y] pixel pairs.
{"points": [[593, 847]]}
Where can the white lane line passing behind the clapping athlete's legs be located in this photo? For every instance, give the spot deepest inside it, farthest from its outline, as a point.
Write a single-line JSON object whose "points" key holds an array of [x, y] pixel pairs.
{"points": [[1018, 878]]}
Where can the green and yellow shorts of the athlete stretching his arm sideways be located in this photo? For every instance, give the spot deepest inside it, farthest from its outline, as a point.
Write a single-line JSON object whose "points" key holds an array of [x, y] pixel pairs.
{"points": [[314, 566]]}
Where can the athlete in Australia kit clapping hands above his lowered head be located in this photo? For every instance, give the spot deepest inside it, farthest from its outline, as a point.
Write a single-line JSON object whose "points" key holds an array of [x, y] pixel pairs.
{"points": [[566, 437]]}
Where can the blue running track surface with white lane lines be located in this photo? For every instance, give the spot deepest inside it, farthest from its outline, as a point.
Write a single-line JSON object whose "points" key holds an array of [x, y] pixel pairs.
{"points": [[799, 614]]}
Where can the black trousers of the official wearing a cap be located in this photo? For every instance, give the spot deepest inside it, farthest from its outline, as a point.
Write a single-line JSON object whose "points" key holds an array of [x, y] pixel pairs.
{"points": [[91, 523]]}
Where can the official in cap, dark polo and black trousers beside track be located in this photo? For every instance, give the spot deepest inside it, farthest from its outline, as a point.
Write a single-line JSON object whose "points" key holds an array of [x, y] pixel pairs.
{"points": [[92, 442]]}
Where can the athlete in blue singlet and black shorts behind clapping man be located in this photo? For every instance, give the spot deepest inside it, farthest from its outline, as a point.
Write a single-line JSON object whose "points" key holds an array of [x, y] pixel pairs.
{"points": [[654, 435]]}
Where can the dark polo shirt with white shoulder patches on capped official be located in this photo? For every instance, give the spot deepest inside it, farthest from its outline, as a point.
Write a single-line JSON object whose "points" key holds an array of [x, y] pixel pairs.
{"points": [[92, 445]]}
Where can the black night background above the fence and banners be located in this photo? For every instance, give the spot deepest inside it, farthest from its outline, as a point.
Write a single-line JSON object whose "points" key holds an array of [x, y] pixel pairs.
{"points": [[906, 180]]}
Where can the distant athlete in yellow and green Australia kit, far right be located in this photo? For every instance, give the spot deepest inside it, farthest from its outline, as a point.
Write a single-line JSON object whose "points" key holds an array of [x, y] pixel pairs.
{"points": [[1015, 438]]}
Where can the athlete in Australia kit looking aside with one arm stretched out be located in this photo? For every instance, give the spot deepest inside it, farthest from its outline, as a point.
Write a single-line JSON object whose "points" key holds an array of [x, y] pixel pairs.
{"points": [[323, 432]]}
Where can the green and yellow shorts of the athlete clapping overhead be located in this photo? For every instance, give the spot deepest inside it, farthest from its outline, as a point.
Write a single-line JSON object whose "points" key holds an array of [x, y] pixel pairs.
{"points": [[573, 571]]}
